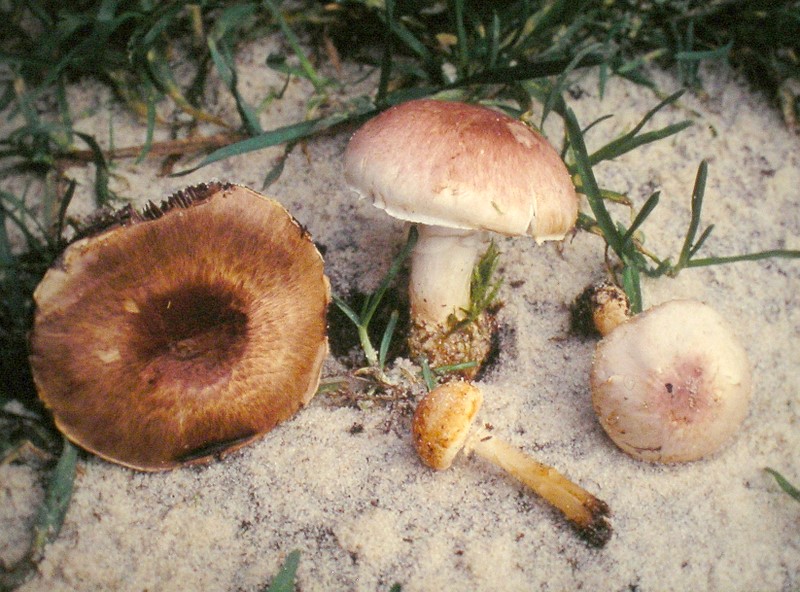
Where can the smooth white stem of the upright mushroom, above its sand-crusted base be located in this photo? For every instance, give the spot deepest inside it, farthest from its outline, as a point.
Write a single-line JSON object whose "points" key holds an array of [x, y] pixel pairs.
{"points": [[441, 271]]}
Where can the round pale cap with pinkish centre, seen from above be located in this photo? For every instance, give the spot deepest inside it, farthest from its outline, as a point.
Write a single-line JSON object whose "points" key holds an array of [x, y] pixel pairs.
{"points": [[672, 384]]}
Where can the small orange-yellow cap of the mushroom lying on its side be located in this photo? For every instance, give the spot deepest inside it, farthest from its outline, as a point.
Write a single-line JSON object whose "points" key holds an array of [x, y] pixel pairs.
{"points": [[442, 421]]}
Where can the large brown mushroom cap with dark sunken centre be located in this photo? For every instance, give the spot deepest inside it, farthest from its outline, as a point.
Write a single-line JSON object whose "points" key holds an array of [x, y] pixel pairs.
{"points": [[186, 331]]}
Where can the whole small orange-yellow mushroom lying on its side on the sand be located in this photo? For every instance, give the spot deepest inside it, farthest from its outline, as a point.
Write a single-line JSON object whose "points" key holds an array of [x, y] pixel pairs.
{"points": [[442, 427]]}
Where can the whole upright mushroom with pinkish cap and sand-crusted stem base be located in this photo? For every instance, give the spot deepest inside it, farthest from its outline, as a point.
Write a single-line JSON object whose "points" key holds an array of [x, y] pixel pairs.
{"points": [[457, 170]]}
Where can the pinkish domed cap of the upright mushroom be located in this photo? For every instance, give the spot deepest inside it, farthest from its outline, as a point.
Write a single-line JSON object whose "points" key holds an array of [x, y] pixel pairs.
{"points": [[462, 166]]}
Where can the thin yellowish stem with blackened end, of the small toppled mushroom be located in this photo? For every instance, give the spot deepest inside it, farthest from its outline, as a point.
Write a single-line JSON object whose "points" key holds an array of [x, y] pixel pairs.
{"points": [[587, 514]]}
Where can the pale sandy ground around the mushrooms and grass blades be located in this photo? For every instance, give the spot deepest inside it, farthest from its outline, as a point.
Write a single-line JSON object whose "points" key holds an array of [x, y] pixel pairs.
{"points": [[342, 483]]}
